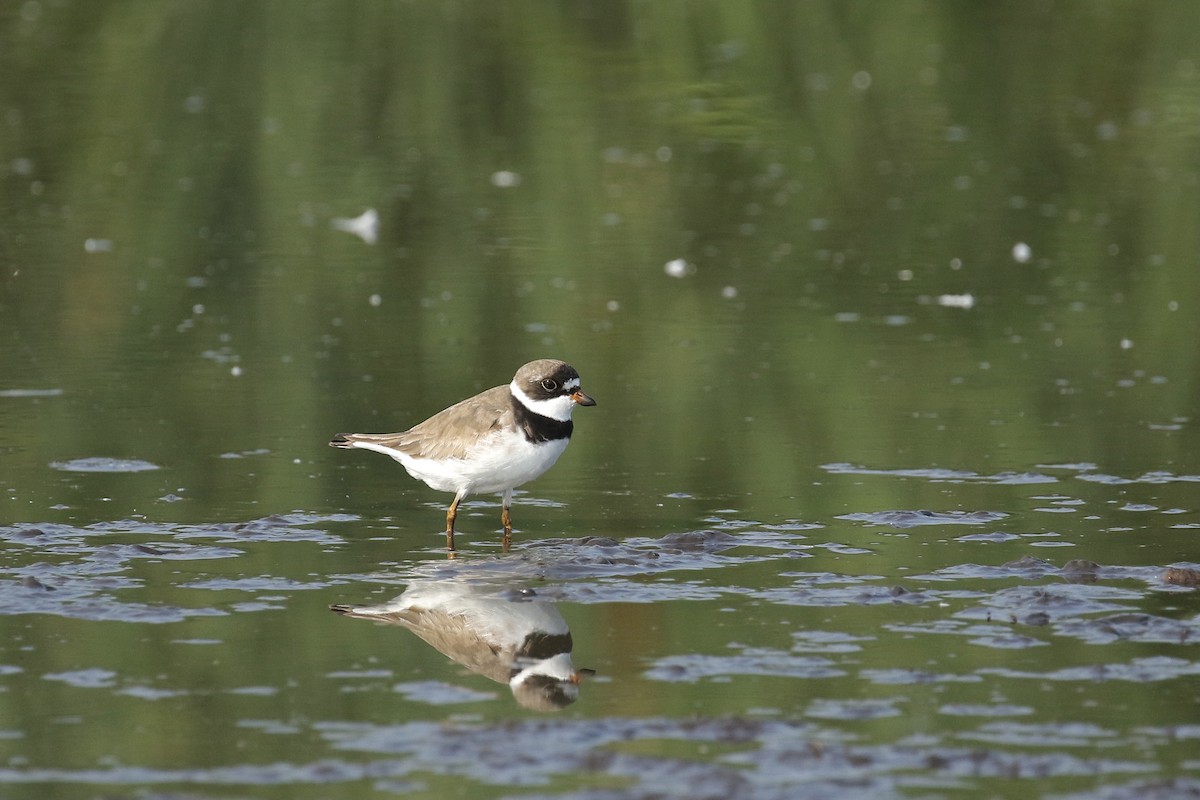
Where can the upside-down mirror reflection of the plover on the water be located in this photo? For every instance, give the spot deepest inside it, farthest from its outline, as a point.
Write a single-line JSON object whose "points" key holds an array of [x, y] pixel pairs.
{"points": [[509, 636]]}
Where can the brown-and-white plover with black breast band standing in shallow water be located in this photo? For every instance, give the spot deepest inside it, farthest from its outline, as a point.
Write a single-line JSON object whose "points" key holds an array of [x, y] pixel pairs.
{"points": [[491, 443]]}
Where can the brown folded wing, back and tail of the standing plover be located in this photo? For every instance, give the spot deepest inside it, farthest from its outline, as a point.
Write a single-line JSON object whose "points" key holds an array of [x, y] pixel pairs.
{"points": [[449, 434]]}
